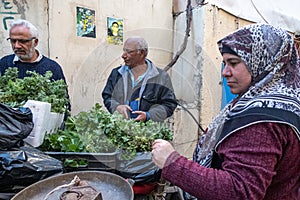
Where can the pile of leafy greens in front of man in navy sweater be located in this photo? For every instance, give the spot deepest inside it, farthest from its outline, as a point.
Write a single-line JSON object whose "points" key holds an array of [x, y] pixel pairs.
{"points": [[15, 91]]}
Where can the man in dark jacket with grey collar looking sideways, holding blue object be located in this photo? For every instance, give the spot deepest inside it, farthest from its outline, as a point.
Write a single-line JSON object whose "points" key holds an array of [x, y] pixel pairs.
{"points": [[138, 89]]}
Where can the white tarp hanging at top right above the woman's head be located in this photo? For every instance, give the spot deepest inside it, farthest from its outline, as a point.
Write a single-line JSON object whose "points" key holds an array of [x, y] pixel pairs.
{"points": [[285, 14]]}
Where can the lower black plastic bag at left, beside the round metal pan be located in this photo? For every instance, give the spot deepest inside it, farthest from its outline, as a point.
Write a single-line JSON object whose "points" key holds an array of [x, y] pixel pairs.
{"points": [[21, 167]]}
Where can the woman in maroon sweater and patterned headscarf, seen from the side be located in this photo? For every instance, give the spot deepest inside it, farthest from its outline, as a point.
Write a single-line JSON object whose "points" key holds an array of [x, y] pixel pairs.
{"points": [[251, 150]]}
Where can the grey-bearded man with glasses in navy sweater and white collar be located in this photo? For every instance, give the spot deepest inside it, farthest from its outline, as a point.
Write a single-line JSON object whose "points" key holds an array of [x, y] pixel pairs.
{"points": [[23, 37]]}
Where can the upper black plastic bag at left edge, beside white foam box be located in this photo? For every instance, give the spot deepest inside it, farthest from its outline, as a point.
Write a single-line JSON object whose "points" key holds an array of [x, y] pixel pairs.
{"points": [[15, 125]]}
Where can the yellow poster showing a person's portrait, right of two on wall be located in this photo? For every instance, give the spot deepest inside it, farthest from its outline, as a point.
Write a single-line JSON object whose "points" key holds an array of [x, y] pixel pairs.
{"points": [[114, 31]]}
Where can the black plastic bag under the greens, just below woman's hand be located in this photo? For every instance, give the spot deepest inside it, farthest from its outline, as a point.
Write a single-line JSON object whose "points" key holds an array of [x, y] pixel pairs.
{"points": [[141, 168]]}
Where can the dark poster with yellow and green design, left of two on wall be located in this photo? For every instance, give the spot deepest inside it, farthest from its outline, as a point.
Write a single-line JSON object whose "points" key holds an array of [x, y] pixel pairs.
{"points": [[85, 22]]}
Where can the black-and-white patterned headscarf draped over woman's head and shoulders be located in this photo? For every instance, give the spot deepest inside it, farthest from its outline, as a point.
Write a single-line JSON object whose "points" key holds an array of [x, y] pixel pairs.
{"points": [[272, 60]]}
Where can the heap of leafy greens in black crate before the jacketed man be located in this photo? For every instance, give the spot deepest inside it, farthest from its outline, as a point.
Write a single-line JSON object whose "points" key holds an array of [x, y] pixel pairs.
{"points": [[100, 131]]}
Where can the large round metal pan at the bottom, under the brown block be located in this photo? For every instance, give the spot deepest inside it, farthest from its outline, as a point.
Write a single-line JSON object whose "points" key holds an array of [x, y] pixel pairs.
{"points": [[111, 186]]}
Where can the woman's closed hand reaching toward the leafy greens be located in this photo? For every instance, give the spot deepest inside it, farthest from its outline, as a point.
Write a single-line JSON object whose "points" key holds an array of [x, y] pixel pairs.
{"points": [[161, 150]]}
